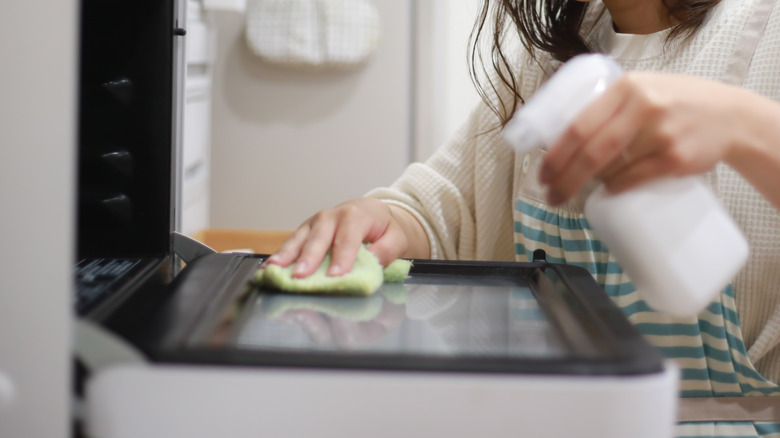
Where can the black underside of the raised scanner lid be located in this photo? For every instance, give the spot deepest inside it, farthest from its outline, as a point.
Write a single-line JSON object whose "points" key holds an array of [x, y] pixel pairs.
{"points": [[125, 134]]}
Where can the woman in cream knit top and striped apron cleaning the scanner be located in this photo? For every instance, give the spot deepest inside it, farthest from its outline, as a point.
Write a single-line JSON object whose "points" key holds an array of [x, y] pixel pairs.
{"points": [[700, 98]]}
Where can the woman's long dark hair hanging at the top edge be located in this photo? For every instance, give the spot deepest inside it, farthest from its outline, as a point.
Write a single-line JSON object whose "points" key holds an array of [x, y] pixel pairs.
{"points": [[551, 26]]}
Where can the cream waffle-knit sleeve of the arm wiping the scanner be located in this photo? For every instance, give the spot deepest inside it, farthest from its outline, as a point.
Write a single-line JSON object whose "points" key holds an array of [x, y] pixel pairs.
{"points": [[462, 194]]}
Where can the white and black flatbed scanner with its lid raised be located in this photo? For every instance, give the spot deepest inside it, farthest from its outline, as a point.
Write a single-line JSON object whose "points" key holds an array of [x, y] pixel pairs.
{"points": [[175, 340]]}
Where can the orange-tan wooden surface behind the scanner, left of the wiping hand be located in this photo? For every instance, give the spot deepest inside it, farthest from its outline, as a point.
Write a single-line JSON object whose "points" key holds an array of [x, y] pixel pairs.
{"points": [[257, 241]]}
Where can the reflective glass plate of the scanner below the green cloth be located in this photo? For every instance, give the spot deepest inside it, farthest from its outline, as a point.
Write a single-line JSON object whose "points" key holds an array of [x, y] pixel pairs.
{"points": [[423, 316]]}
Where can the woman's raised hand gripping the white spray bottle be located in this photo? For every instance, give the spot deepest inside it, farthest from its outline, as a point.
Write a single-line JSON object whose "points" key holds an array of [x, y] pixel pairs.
{"points": [[647, 126]]}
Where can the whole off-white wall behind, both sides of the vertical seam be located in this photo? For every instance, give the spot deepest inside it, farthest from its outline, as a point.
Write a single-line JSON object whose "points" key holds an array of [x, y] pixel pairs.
{"points": [[287, 143]]}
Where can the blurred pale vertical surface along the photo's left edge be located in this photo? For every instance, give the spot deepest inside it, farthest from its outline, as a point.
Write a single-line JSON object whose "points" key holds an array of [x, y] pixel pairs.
{"points": [[37, 151]]}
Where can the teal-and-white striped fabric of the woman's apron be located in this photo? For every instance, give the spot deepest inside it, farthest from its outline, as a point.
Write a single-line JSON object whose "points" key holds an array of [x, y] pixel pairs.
{"points": [[709, 350]]}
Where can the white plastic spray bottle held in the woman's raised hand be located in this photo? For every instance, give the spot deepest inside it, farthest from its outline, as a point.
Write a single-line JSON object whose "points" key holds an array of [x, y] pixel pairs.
{"points": [[671, 236]]}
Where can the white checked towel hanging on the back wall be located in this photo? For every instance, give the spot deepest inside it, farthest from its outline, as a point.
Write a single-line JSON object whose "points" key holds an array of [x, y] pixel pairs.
{"points": [[313, 33]]}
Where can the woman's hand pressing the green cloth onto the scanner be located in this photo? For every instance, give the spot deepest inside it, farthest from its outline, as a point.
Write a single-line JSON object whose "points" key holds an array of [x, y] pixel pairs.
{"points": [[391, 231]]}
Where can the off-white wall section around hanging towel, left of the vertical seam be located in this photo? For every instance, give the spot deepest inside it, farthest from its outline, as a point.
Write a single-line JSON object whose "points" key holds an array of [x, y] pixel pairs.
{"points": [[287, 143]]}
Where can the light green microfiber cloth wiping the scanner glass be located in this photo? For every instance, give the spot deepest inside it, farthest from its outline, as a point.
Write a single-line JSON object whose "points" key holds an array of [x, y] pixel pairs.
{"points": [[366, 276]]}
